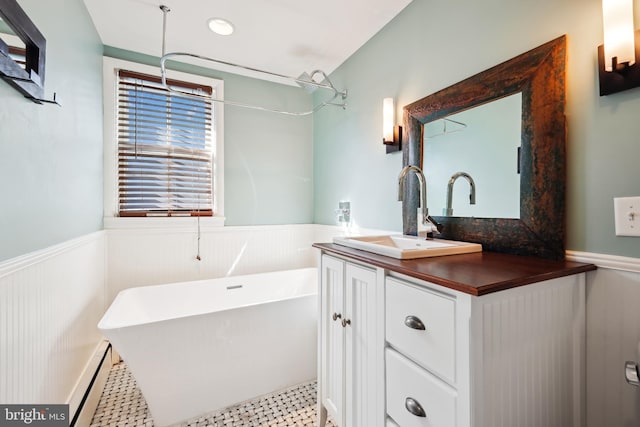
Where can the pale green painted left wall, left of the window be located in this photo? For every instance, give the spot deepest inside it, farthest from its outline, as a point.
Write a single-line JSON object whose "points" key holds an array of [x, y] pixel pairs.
{"points": [[51, 157]]}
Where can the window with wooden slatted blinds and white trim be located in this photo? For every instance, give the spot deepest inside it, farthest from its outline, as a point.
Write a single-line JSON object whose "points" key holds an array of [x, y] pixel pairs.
{"points": [[176, 216]]}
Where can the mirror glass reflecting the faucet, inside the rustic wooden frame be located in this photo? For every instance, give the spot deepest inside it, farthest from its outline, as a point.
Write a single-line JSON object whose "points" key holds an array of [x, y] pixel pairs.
{"points": [[472, 156]]}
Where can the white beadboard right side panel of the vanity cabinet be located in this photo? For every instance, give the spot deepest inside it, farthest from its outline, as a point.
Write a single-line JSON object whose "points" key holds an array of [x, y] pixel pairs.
{"points": [[532, 356]]}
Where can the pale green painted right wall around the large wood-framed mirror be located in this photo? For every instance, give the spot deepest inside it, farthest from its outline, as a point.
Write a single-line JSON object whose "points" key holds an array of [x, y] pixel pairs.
{"points": [[433, 44]]}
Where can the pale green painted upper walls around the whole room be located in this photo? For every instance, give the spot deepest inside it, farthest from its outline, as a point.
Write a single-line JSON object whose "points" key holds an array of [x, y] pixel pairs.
{"points": [[51, 157]]}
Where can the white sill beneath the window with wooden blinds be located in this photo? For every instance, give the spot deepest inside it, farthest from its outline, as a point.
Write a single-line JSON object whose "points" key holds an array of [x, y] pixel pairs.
{"points": [[171, 223]]}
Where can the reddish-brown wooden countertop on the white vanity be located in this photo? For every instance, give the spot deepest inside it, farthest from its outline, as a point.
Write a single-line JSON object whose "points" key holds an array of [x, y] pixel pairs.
{"points": [[477, 273]]}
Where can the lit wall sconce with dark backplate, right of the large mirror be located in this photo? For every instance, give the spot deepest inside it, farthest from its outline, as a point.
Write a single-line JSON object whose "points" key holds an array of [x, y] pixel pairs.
{"points": [[618, 67]]}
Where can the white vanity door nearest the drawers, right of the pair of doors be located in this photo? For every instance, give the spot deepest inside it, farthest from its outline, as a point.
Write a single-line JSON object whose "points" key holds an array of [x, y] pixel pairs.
{"points": [[364, 343]]}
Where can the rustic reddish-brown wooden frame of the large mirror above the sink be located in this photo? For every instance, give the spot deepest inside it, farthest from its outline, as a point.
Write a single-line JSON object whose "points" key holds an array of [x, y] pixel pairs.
{"points": [[540, 75]]}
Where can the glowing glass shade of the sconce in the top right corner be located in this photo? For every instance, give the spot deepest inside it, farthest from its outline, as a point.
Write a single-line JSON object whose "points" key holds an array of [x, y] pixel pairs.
{"points": [[617, 19]]}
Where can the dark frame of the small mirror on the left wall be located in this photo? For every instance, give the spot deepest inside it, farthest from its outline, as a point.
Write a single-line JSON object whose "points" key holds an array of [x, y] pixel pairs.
{"points": [[29, 81]]}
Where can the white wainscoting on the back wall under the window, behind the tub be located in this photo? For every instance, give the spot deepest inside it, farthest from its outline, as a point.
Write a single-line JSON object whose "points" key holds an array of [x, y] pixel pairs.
{"points": [[147, 256]]}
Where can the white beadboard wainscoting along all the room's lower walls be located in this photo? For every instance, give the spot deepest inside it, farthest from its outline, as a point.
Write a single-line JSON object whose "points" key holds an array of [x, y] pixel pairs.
{"points": [[51, 301]]}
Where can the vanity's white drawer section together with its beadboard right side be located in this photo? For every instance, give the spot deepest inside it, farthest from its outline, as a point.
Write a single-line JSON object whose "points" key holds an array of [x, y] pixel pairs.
{"points": [[509, 358]]}
